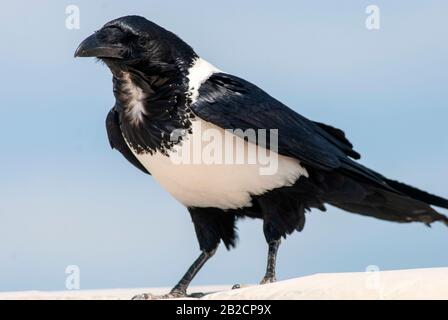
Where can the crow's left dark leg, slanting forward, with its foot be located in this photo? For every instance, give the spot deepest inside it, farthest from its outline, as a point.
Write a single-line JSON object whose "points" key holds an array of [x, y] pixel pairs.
{"points": [[180, 289]]}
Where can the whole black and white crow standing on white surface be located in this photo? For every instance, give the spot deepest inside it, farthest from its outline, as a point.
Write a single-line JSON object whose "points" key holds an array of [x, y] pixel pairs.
{"points": [[163, 88]]}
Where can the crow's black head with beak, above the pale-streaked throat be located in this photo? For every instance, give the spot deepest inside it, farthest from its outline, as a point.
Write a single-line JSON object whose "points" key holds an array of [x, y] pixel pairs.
{"points": [[136, 43]]}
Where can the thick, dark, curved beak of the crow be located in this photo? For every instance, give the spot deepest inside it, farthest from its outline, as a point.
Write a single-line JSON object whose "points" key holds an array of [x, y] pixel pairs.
{"points": [[93, 47]]}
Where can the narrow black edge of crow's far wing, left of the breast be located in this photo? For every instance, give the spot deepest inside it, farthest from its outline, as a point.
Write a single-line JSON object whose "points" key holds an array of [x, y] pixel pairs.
{"points": [[116, 139]]}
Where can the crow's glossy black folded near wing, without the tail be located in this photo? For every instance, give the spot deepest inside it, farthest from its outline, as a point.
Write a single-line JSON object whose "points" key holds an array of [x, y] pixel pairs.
{"points": [[233, 103]]}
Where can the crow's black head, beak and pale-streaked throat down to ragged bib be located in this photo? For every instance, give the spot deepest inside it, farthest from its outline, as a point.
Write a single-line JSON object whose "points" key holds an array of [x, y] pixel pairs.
{"points": [[150, 66]]}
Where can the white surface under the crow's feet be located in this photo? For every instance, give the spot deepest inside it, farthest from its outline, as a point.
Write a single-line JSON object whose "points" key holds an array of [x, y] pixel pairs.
{"points": [[402, 284]]}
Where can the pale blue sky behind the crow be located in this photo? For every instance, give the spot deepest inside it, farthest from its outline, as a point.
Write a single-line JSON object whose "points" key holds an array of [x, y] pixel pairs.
{"points": [[67, 199]]}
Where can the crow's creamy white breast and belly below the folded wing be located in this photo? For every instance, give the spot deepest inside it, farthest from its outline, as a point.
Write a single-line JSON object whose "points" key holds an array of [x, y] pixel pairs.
{"points": [[220, 185]]}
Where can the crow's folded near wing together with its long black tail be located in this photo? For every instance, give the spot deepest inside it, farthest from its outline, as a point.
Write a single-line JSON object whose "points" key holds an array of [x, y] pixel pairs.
{"points": [[233, 103]]}
